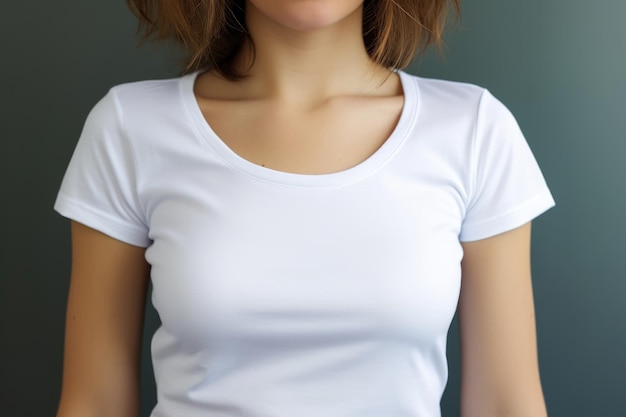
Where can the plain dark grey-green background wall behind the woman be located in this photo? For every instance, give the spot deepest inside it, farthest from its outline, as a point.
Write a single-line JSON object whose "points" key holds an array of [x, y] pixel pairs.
{"points": [[559, 65]]}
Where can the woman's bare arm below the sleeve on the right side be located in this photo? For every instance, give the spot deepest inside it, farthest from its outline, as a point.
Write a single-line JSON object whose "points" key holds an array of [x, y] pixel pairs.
{"points": [[499, 367]]}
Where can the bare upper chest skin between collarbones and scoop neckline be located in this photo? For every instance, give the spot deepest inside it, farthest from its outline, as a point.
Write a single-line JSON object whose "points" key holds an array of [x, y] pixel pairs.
{"points": [[333, 136]]}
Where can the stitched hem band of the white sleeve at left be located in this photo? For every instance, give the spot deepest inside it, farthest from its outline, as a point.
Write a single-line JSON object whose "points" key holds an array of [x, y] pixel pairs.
{"points": [[91, 217]]}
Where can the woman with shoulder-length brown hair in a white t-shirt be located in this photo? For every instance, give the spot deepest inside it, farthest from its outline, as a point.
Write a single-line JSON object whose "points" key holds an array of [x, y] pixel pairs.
{"points": [[311, 217]]}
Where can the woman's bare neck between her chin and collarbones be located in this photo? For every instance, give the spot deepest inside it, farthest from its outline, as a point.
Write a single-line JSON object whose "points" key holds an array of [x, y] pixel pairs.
{"points": [[307, 66]]}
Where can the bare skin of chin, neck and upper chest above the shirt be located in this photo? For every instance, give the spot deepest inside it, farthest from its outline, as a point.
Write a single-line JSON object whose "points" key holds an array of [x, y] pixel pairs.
{"points": [[315, 105]]}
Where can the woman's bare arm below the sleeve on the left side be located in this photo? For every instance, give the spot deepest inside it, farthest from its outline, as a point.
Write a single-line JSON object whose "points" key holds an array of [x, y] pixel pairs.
{"points": [[103, 327]]}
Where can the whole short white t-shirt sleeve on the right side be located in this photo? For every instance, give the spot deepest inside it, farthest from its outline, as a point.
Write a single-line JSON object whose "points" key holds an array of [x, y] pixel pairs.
{"points": [[507, 188]]}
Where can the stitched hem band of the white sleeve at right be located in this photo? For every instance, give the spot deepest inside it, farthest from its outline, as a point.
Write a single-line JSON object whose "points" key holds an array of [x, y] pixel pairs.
{"points": [[510, 220]]}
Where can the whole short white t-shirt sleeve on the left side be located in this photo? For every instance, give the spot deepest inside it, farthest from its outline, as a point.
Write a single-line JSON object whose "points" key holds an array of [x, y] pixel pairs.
{"points": [[99, 188]]}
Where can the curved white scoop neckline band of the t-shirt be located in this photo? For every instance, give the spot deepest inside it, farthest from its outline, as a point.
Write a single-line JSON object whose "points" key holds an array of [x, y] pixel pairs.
{"points": [[351, 175]]}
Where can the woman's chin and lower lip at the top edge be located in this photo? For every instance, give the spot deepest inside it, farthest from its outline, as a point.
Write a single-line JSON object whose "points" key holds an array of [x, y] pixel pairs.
{"points": [[304, 15]]}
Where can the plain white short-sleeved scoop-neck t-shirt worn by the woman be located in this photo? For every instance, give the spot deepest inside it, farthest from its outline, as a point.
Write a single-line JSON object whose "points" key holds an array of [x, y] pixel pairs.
{"points": [[284, 294]]}
